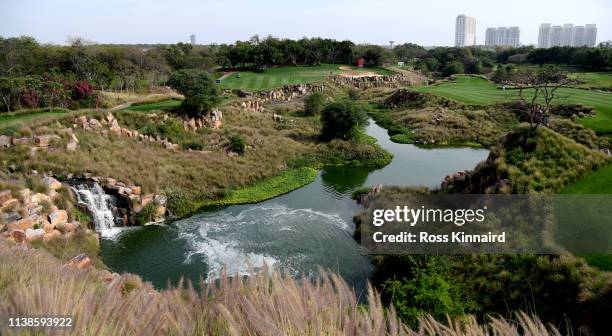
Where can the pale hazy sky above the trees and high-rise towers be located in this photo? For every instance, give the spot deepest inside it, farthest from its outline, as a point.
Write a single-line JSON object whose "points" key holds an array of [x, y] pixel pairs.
{"points": [[426, 22]]}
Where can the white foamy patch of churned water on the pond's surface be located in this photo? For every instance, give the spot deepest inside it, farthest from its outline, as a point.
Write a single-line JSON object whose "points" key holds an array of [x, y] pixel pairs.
{"points": [[257, 238]]}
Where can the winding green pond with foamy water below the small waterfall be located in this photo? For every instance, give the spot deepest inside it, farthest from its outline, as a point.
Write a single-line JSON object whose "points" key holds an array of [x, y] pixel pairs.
{"points": [[299, 232]]}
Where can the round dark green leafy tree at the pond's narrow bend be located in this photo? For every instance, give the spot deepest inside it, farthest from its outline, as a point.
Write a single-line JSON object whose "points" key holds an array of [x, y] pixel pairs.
{"points": [[342, 120]]}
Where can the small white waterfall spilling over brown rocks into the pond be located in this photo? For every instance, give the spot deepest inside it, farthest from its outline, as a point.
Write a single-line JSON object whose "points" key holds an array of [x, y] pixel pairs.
{"points": [[99, 204]]}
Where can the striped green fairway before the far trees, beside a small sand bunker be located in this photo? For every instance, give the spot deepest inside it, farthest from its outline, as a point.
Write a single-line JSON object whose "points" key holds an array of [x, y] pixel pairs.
{"points": [[277, 77]]}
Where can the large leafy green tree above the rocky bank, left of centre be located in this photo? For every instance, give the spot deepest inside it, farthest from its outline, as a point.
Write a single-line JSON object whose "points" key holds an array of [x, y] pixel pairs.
{"points": [[200, 91]]}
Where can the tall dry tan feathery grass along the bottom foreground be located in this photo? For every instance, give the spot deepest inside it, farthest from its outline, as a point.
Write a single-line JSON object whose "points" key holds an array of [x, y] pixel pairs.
{"points": [[34, 283]]}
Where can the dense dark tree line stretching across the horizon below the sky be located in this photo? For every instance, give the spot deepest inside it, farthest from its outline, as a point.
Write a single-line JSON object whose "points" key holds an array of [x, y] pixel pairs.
{"points": [[37, 75]]}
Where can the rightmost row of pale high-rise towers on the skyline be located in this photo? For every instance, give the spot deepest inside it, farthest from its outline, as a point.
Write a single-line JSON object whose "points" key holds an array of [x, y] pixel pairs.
{"points": [[567, 35]]}
